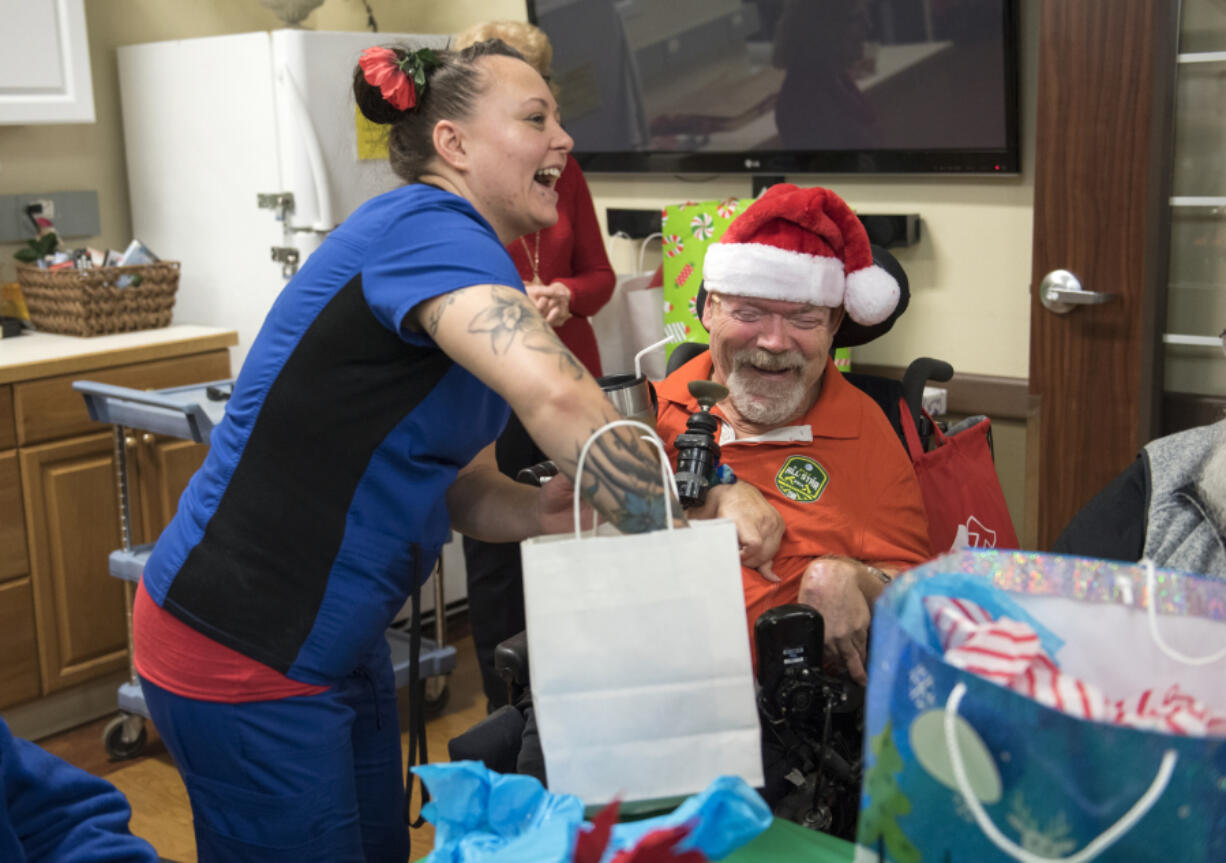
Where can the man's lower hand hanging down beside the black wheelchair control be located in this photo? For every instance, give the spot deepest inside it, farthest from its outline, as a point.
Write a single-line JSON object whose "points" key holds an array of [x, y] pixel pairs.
{"points": [[836, 588]]}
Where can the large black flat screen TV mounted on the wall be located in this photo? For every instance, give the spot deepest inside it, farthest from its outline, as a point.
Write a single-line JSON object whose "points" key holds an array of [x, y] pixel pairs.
{"points": [[788, 86]]}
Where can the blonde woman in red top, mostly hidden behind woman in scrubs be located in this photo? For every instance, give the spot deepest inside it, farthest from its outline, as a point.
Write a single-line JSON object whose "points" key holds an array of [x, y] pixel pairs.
{"points": [[568, 275]]}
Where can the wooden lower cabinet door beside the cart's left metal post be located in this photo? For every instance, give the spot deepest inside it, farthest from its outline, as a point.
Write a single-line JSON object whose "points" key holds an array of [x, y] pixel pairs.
{"points": [[73, 520]]}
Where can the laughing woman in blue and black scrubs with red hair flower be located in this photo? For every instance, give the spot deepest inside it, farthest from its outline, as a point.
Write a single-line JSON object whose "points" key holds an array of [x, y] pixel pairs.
{"points": [[360, 432]]}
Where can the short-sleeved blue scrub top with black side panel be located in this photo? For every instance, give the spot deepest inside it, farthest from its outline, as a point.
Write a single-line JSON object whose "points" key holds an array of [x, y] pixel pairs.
{"points": [[295, 544]]}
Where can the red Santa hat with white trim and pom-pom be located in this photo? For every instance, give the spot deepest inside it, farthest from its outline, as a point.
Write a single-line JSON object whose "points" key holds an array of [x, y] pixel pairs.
{"points": [[802, 246]]}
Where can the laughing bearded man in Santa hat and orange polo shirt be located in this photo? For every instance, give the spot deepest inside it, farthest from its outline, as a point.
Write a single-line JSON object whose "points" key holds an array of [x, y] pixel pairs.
{"points": [[820, 452]]}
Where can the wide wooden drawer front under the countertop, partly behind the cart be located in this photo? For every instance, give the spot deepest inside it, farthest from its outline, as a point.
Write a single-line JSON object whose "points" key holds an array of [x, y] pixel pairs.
{"points": [[50, 409]]}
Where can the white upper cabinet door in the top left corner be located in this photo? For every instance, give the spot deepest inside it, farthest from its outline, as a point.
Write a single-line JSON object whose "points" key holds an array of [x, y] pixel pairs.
{"points": [[45, 63]]}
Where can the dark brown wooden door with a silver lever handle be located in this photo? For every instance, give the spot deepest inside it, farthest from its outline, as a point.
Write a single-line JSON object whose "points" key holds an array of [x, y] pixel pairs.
{"points": [[1106, 73]]}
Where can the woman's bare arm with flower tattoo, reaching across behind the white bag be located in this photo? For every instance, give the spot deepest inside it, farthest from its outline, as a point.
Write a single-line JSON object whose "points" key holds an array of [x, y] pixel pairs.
{"points": [[497, 334]]}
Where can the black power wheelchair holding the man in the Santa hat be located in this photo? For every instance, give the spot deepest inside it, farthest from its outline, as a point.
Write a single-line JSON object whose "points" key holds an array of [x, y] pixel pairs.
{"points": [[813, 725]]}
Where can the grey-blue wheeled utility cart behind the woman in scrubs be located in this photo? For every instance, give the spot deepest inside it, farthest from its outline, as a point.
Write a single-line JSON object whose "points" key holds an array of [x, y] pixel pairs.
{"points": [[192, 414]]}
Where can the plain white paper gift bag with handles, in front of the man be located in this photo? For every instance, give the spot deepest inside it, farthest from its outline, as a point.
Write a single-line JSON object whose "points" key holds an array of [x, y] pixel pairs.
{"points": [[639, 661]]}
